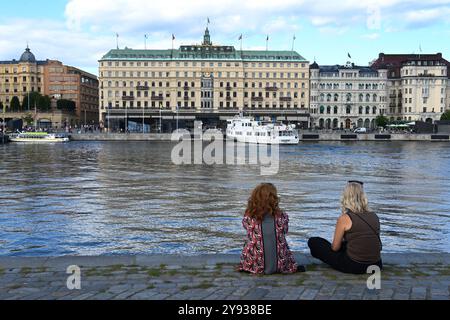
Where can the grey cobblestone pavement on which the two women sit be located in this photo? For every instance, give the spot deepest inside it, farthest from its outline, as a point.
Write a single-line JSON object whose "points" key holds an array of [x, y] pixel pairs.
{"points": [[212, 277]]}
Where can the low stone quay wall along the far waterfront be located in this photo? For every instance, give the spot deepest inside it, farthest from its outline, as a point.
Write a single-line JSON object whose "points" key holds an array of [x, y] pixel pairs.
{"points": [[303, 137]]}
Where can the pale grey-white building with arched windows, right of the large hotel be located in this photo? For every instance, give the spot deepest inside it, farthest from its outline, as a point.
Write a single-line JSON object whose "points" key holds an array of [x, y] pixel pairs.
{"points": [[347, 96]]}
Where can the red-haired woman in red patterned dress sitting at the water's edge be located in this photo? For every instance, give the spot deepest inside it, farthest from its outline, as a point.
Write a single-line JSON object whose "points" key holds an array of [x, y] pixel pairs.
{"points": [[266, 250]]}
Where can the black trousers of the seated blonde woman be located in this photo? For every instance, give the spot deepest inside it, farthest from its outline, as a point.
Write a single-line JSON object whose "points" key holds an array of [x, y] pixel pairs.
{"points": [[321, 249]]}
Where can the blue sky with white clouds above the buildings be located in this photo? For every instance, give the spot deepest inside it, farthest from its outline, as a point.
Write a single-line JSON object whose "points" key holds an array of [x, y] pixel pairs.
{"points": [[80, 32]]}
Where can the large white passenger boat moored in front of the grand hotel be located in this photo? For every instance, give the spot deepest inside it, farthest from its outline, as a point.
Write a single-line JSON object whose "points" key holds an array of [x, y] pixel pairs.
{"points": [[246, 129]]}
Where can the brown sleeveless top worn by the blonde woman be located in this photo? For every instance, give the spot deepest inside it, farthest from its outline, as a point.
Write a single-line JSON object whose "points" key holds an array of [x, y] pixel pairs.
{"points": [[363, 242]]}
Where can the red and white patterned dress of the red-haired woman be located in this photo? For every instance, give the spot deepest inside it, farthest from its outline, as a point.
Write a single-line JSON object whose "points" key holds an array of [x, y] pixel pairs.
{"points": [[252, 257]]}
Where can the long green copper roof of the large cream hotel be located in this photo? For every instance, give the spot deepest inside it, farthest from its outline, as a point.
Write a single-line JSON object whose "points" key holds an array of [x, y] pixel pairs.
{"points": [[201, 52]]}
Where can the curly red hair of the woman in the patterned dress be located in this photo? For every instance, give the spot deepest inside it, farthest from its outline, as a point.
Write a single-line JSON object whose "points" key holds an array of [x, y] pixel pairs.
{"points": [[264, 200]]}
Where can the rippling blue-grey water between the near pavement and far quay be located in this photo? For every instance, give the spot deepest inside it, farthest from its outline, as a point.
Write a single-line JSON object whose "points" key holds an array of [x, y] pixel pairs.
{"points": [[91, 198]]}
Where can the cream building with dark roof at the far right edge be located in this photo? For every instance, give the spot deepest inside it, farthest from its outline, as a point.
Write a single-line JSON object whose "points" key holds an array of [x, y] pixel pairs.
{"points": [[417, 85]]}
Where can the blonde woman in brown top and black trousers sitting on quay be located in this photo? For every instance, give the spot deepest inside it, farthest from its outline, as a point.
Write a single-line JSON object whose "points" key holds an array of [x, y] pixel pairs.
{"points": [[357, 244]]}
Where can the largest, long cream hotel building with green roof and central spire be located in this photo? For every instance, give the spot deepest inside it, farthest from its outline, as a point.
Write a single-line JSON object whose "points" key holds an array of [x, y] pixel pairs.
{"points": [[201, 82]]}
